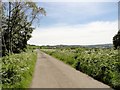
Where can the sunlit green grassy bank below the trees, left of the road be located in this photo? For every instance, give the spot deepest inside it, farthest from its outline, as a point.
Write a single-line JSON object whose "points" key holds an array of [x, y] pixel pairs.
{"points": [[17, 69]]}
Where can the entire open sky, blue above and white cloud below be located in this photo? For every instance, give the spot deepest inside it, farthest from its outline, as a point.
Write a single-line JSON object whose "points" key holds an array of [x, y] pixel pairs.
{"points": [[76, 23]]}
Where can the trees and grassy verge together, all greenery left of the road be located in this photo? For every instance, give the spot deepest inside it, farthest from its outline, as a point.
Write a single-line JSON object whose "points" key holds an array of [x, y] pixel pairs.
{"points": [[18, 58]]}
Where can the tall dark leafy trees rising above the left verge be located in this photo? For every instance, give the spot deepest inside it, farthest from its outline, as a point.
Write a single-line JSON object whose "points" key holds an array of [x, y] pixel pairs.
{"points": [[18, 19]]}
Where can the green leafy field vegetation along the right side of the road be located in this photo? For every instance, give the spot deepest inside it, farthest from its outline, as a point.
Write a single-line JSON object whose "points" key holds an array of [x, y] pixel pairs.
{"points": [[101, 64]]}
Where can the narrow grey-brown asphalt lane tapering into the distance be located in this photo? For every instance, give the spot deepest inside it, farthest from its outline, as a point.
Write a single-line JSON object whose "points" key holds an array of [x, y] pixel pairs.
{"points": [[52, 73]]}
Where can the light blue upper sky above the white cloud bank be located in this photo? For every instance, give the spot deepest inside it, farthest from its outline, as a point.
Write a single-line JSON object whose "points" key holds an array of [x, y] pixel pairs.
{"points": [[77, 12]]}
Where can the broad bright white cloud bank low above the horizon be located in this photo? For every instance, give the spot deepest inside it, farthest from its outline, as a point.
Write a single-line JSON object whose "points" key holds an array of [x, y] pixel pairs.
{"points": [[98, 32]]}
